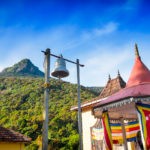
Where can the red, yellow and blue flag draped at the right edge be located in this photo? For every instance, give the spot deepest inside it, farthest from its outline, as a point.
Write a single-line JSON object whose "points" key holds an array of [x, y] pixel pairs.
{"points": [[144, 119]]}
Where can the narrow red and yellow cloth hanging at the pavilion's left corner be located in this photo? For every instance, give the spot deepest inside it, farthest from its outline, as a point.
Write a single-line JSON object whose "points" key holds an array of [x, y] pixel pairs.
{"points": [[107, 131]]}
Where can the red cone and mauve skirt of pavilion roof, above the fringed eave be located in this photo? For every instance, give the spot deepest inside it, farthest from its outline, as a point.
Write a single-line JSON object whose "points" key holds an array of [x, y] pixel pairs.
{"points": [[138, 84]]}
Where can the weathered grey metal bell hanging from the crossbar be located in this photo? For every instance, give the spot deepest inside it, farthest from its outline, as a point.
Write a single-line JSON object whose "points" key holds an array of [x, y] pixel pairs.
{"points": [[60, 70]]}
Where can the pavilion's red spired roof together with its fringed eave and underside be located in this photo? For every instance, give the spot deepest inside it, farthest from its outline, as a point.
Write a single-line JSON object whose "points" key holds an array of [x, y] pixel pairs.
{"points": [[137, 89]]}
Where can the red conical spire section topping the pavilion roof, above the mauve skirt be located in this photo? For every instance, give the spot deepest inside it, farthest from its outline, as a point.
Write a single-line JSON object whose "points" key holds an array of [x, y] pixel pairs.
{"points": [[140, 73]]}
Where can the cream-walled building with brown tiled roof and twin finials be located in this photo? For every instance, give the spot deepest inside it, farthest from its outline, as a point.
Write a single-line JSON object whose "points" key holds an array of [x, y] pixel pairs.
{"points": [[112, 86]]}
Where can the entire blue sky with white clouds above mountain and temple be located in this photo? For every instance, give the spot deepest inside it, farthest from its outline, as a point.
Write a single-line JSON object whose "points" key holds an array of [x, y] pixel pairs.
{"points": [[100, 33]]}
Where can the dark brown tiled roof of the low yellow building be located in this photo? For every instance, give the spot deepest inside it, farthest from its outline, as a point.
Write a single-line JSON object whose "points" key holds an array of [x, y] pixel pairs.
{"points": [[8, 135]]}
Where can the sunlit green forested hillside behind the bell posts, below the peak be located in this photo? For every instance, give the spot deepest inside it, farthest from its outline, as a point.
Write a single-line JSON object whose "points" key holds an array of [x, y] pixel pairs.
{"points": [[21, 103]]}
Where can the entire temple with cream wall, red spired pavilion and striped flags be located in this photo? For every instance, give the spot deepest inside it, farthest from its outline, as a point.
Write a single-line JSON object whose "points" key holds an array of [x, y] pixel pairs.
{"points": [[128, 111]]}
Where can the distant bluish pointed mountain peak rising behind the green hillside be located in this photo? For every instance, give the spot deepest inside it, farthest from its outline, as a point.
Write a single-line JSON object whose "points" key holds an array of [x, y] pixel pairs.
{"points": [[23, 68]]}
